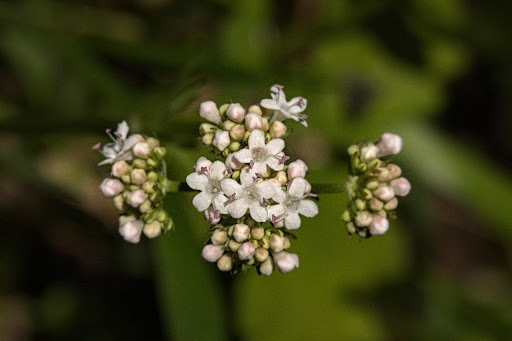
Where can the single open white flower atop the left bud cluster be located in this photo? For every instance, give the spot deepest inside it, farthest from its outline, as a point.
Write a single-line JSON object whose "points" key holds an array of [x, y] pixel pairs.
{"points": [[120, 148]]}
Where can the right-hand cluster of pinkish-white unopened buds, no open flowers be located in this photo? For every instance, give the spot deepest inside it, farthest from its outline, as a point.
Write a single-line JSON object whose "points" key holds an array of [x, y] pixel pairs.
{"points": [[373, 186]]}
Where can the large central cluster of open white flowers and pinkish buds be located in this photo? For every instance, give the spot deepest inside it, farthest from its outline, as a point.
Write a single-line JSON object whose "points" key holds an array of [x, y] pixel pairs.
{"points": [[252, 198]]}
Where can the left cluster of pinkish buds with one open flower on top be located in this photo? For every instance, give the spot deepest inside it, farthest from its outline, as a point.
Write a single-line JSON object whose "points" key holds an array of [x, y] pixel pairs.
{"points": [[136, 183]]}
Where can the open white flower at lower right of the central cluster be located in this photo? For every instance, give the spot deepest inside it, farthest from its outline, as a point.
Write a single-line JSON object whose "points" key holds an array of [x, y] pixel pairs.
{"points": [[292, 203]]}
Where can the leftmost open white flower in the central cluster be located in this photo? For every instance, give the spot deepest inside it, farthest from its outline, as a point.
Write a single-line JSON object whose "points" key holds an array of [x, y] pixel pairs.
{"points": [[208, 182]]}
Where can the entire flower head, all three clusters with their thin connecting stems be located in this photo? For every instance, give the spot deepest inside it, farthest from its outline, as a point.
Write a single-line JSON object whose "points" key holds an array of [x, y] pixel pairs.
{"points": [[251, 194]]}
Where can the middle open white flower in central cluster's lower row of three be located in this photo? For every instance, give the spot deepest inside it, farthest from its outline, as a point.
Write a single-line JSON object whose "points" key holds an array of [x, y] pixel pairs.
{"points": [[248, 195]]}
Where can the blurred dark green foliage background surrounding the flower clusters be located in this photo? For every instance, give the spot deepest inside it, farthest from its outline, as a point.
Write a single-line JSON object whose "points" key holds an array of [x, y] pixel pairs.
{"points": [[437, 72]]}
